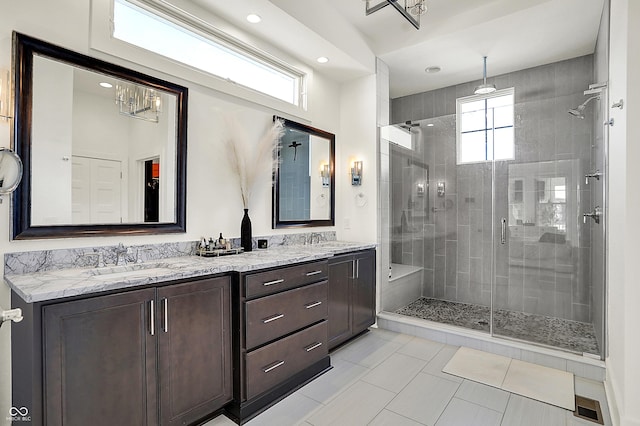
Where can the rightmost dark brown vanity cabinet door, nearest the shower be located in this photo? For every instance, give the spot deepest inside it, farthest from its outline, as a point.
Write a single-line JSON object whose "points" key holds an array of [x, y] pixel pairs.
{"points": [[363, 298]]}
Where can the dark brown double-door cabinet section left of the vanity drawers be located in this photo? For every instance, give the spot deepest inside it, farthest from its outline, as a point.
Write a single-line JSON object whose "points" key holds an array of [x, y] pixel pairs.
{"points": [[156, 356]]}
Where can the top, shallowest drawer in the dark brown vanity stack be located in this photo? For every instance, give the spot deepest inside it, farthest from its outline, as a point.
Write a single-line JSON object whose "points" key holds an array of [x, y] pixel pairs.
{"points": [[270, 282]]}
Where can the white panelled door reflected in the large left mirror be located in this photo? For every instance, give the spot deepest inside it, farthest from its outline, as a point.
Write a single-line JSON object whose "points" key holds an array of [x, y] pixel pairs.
{"points": [[96, 190]]}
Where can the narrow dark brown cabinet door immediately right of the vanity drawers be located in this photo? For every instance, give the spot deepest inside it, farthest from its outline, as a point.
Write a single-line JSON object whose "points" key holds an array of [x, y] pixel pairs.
{"points": [[339, 319]]}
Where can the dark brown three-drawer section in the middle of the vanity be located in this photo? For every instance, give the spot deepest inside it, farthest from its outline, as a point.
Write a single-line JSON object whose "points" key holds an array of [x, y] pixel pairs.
{"points": [[282, 318]]}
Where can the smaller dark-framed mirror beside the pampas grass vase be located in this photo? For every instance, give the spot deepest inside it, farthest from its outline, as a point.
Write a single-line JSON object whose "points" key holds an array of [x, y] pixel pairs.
{"points": [[304, 183]]}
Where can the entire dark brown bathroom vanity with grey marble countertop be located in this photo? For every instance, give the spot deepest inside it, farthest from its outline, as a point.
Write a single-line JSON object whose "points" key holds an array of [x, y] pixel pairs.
{"points": [[181, 339]]}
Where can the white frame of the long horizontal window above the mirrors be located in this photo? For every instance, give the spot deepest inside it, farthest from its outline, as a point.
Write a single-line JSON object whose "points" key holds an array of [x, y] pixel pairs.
{"points": [[102, 40]]}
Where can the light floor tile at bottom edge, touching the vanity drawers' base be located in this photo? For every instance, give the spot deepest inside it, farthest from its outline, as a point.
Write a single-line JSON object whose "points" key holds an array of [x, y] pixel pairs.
{"points": [[292, 410]]}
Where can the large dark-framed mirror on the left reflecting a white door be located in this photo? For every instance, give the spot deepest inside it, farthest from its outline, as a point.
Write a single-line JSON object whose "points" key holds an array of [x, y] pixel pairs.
{"points": [[104, 148]]}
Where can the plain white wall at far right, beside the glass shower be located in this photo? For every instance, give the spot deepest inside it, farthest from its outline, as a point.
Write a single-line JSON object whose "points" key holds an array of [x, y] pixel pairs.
{"points": [[623, 374]]}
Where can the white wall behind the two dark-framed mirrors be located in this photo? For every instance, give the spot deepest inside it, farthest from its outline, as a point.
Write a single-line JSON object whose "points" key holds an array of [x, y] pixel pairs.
{"points": [[213, 204]]}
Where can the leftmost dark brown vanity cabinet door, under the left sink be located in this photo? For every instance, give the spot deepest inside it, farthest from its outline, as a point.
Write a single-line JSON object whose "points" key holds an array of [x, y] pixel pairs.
{"points": [[100, 361]]}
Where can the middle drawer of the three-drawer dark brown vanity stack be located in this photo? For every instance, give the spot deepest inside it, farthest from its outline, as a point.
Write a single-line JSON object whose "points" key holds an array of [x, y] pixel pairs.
{"points": [[270, 317]]}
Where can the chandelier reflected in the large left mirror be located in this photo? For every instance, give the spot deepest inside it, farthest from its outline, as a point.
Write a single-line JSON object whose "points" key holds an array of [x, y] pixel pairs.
{"points": [[138, 102]]}
